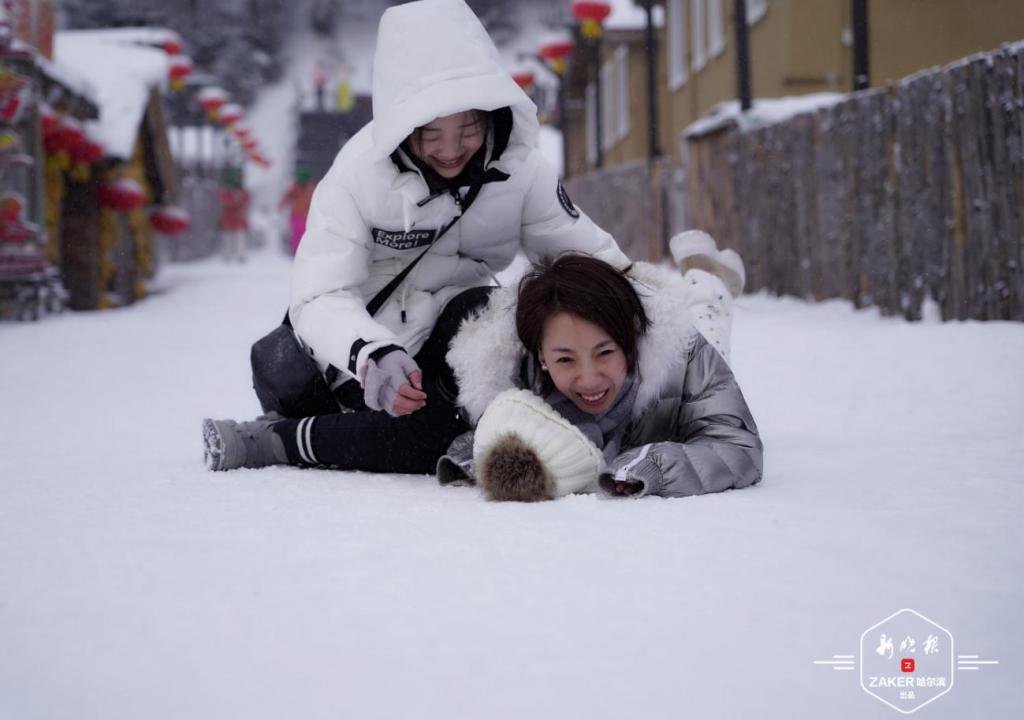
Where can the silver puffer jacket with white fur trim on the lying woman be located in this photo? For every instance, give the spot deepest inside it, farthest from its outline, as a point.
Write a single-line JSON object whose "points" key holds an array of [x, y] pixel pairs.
{"points": [[691, 431]]}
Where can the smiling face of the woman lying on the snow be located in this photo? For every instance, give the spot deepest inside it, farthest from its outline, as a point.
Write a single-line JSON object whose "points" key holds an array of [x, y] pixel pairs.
{"points": [[585, 364]]}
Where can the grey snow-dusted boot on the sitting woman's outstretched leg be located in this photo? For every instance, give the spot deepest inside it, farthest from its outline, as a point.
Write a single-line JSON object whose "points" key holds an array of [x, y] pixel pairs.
{"points": [[230, 445]]}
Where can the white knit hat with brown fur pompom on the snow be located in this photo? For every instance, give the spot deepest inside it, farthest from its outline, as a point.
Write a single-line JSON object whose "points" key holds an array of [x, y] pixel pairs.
{"points": [[525, 450]]}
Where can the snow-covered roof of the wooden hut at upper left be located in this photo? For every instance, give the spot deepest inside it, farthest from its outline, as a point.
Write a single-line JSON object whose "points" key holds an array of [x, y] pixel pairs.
{"points": [[122, 72]]}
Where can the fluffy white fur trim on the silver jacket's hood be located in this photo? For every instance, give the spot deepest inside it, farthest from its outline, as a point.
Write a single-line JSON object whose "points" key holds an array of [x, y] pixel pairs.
{"points": [[487, 355]]}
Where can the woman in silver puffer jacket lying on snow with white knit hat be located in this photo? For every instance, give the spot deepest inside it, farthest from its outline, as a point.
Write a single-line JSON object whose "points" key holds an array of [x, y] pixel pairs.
{"points": [[590, 378]]}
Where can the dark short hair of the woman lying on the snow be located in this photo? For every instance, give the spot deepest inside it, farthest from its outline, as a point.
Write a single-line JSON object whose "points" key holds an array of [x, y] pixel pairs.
{"points": [[585, 287]]}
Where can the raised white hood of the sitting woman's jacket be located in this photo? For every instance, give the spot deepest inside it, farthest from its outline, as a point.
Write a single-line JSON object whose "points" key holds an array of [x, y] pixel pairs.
{"points": [[436, 59]]}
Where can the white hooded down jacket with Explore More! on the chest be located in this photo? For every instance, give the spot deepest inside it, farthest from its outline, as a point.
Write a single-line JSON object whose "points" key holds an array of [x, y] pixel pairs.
{"points": [[374, 214]]}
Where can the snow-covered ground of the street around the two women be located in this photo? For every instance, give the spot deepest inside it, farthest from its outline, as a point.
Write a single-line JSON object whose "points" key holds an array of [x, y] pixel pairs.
{"points": [[135, 584]]}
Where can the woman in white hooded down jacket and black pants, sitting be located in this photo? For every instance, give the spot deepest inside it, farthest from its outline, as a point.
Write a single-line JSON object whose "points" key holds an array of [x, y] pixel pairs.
{"points": [[448, 168]]}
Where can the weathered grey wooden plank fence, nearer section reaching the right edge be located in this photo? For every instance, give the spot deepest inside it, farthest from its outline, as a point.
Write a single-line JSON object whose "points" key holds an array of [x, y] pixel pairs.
{"points": [[893, 195]]}
